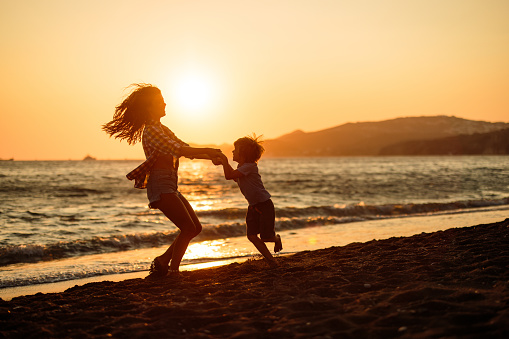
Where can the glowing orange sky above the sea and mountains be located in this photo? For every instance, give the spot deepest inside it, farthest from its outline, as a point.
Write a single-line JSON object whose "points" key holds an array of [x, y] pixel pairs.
{"points": [[268, 67]]}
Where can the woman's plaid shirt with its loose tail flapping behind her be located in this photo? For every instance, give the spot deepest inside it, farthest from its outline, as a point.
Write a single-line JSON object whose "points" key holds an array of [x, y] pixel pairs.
{"points": [[157, 139]]}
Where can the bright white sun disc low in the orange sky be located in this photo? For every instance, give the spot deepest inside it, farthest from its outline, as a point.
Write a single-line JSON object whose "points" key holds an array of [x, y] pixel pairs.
{"points": [[193, 93]]}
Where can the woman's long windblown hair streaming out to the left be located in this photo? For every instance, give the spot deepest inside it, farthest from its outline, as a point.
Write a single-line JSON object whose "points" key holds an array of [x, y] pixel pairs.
{"points": [[132, 114]]}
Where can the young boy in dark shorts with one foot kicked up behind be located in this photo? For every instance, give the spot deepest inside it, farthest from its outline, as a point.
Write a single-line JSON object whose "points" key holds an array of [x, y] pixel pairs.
{"points": [[260, 213]]}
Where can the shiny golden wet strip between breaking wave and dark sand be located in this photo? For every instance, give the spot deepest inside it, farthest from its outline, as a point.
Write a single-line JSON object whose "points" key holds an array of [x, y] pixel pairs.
{"points": [[315, 238]]}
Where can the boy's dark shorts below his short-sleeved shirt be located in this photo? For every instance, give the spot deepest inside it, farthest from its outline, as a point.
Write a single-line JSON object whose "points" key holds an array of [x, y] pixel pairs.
{"points": [[260, 219]]}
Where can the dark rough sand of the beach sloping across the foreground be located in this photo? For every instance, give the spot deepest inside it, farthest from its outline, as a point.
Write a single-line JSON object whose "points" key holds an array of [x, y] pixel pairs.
{"points": [[451, 284]]}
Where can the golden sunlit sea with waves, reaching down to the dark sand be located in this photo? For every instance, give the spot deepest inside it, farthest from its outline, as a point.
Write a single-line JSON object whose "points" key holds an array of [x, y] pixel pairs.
{"points": [[71, 222]]}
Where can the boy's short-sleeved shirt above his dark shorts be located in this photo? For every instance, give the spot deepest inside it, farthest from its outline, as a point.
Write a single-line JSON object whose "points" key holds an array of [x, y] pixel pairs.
{"points": [[251, 184]]}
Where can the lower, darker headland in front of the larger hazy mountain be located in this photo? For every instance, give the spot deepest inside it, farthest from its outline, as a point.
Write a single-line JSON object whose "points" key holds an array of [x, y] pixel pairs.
{"points": [[492, 143]]}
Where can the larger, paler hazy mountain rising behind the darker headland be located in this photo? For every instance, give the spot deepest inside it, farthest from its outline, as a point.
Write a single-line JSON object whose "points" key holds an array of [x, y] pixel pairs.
{"points": [[375, 138]]}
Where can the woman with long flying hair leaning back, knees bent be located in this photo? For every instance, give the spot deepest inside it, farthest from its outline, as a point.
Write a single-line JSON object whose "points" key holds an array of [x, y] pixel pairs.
{"points": [[138, 118]]}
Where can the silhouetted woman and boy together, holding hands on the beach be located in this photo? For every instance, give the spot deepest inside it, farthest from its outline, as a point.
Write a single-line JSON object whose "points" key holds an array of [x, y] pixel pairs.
{"points": [[136, 119]]}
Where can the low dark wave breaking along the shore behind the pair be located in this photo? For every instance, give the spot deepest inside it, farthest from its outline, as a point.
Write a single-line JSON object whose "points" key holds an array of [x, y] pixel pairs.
{"points": [[287, 219]]}
